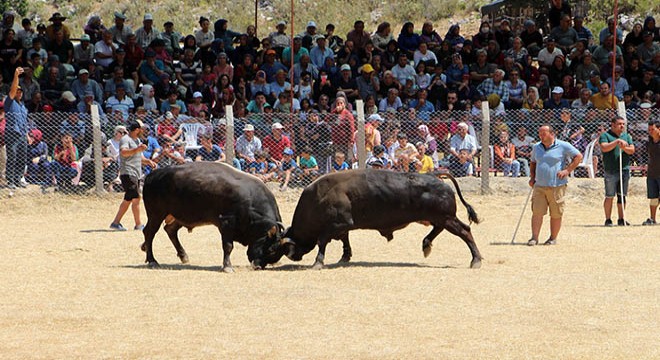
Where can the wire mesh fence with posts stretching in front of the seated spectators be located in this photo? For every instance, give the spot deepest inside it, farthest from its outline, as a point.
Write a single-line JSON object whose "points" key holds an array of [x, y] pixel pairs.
{"points": [[297, 147]]}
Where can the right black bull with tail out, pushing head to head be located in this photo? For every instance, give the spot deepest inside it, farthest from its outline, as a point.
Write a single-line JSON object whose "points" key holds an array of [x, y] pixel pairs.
{"points": [[370, 199]]}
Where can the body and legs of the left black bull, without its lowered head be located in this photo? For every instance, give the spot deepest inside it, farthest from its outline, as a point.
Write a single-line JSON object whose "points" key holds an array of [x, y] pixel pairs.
{"points": [[196, 194]]}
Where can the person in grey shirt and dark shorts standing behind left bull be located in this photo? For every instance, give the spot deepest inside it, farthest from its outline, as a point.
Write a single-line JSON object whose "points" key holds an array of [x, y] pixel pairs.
{"points": [[130, 173]]}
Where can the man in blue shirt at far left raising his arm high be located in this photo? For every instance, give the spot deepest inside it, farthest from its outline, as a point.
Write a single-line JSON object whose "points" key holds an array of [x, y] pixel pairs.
{"points": [[16, 132]]}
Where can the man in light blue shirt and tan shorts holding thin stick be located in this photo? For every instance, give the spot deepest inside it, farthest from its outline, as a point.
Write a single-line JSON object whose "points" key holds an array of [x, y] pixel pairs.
{"points": [[549, 177]]}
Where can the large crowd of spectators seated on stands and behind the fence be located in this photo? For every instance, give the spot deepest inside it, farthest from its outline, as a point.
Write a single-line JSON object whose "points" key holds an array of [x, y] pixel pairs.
{"points": [[295, 98]]}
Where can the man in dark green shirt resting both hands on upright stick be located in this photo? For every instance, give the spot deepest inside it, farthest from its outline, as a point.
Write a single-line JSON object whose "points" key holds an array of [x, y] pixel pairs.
{"points": [[612, 143]]}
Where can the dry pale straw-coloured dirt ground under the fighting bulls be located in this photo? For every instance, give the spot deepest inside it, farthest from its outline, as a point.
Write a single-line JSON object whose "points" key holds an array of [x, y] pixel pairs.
{"points": [[73, 289]]}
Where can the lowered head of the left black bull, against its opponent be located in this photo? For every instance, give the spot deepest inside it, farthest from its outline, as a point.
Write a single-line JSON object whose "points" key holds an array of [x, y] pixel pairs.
{"points": [[270, 248]]}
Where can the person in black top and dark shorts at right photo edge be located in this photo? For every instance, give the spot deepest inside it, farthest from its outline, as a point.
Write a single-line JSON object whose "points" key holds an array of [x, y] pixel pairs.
{"points": [[653, 174]]}
